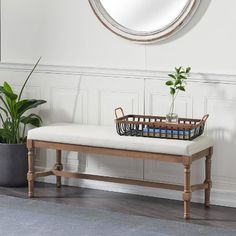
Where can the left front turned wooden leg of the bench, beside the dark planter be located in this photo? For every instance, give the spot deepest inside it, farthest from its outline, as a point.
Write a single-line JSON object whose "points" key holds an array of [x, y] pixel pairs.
{"points": [[30, 174]]}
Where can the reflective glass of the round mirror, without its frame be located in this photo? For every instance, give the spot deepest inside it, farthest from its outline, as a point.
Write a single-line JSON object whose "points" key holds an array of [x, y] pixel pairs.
{"points": [[144, 15]]}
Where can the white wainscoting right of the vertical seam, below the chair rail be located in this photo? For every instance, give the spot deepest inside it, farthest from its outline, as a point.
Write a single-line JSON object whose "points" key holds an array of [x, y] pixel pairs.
{"points": [[219, 101]]}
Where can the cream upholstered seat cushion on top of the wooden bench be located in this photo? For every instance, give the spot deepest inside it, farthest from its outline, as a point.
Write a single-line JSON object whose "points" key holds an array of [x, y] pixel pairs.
{"points": [[106, 136]]}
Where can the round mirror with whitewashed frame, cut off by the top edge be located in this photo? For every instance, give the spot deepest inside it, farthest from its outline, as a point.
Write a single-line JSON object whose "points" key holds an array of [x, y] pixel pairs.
{"points": [[144, 20]]}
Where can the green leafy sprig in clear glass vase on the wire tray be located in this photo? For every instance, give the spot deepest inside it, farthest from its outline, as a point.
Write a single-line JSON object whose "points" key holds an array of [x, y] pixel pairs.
{"points": [[176, 83]]}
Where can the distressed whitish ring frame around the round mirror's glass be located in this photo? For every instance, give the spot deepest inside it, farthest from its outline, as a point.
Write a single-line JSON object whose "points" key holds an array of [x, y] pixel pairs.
{"points": [[153, 36]]}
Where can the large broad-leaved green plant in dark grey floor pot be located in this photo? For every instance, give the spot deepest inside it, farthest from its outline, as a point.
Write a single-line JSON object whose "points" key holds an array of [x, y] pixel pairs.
{"points": [[15, 117]]}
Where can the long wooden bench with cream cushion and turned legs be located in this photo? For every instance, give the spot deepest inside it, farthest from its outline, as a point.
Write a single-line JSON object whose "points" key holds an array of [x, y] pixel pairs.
{"points": [[104, 140]]}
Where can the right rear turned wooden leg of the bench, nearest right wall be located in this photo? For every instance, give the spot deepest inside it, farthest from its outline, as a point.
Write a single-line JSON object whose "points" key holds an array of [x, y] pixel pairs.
{"points": [[208, 179]]}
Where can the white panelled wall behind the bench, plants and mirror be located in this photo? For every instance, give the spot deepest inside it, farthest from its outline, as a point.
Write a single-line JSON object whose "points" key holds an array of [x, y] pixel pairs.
{"points": [[87, 72]]}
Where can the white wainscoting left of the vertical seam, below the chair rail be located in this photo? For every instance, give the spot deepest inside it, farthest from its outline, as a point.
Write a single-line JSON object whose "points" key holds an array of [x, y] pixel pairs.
{"points": [[87, 99]]}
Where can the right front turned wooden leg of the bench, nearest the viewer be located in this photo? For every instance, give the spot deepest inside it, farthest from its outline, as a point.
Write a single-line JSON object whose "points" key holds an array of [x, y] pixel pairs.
{"points": [[187, 191]]}
